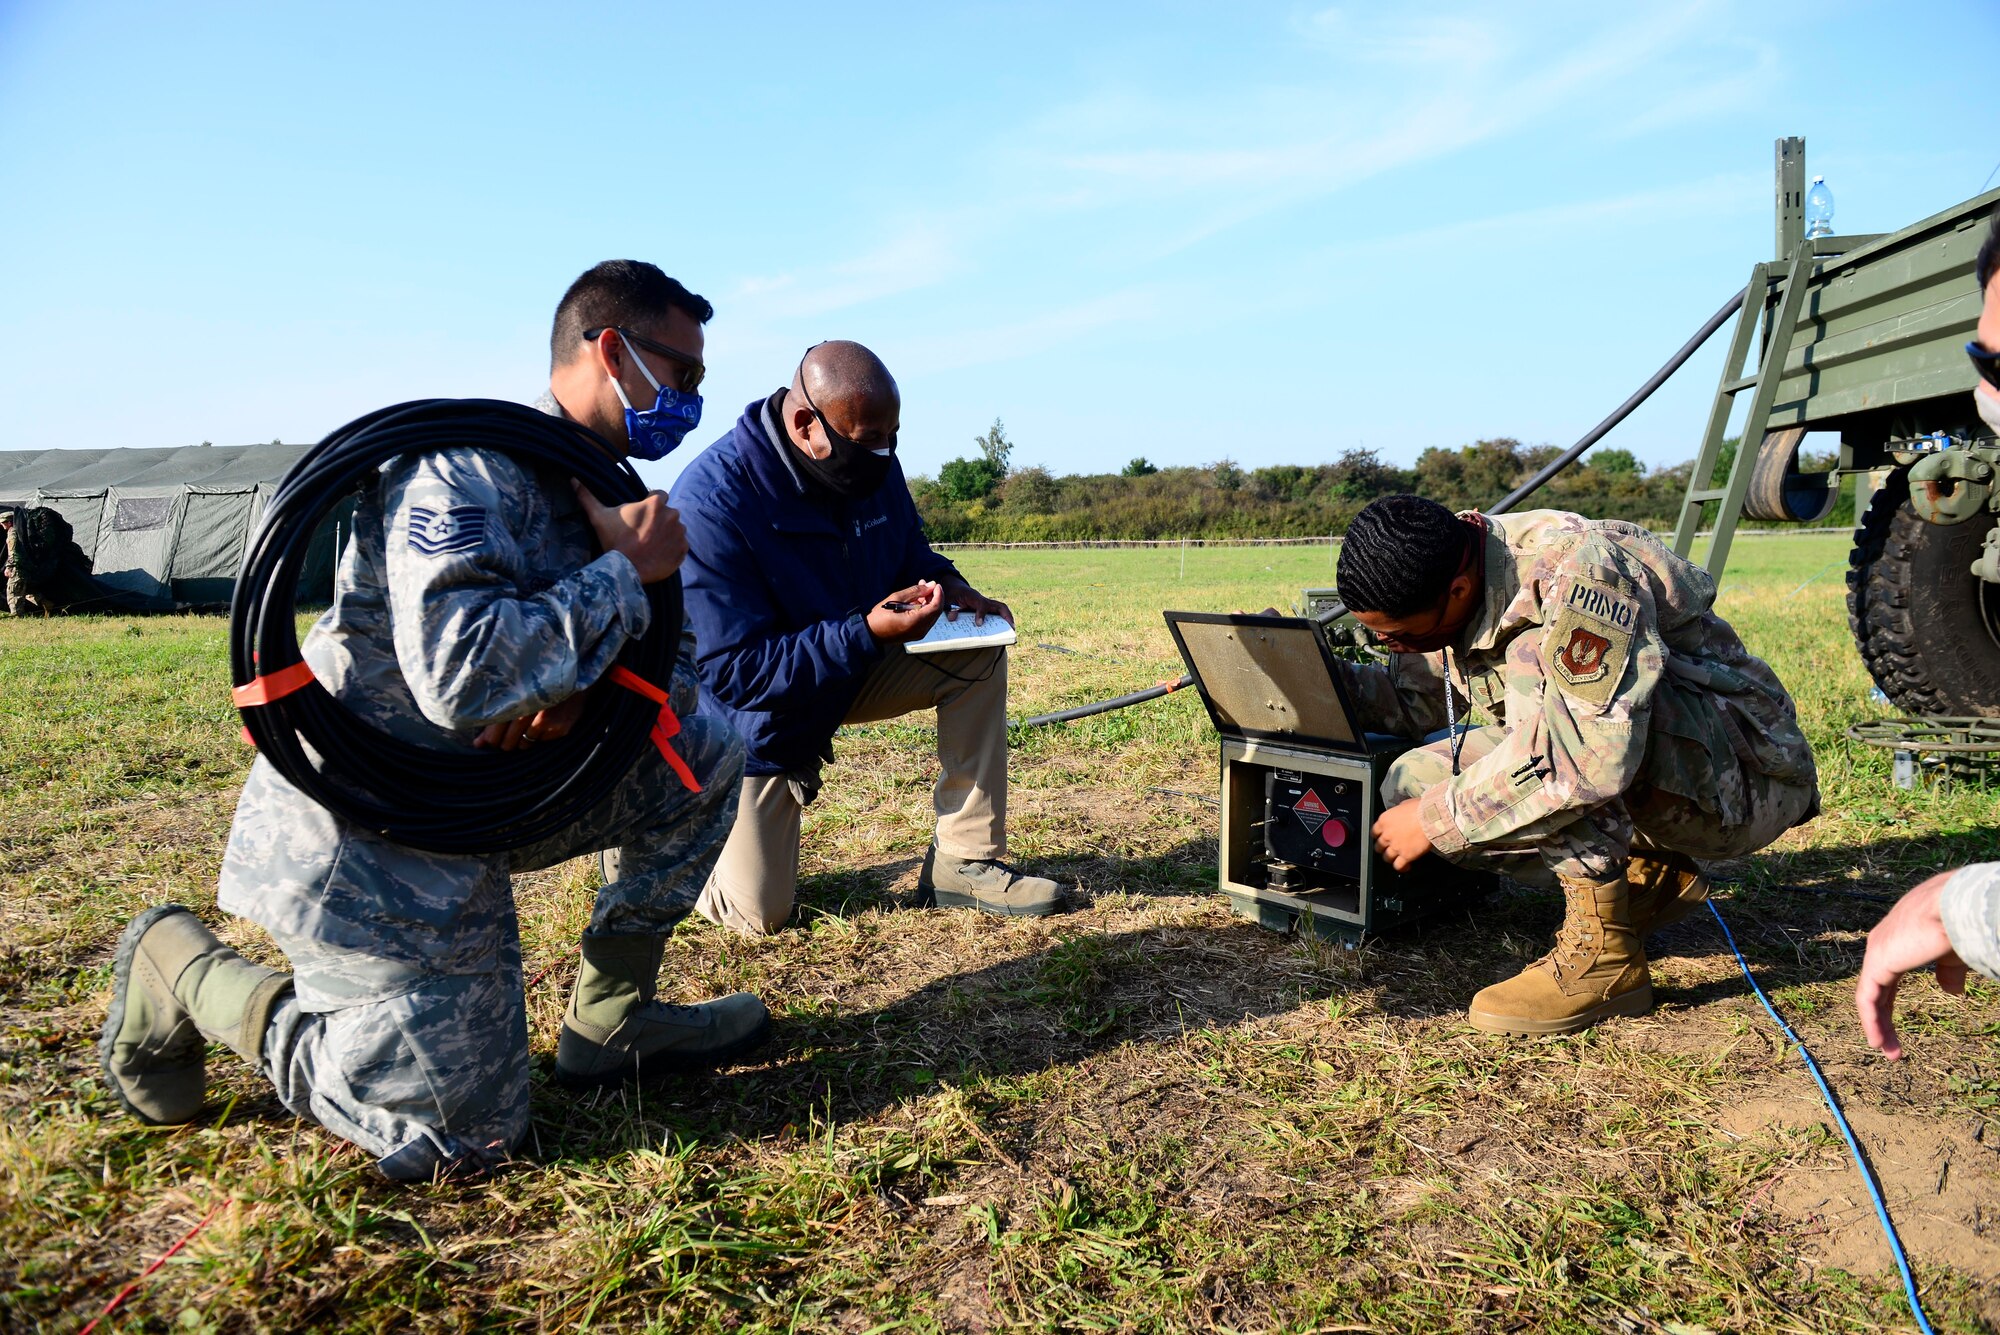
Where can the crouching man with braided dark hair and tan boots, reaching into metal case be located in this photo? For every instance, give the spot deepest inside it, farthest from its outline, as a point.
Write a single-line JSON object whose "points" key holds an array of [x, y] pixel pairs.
{"points": [[1631, 730]]}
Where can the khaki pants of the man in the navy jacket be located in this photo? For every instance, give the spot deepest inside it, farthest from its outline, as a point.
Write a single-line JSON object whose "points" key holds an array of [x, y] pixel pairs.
{"points": [[757, 878]]}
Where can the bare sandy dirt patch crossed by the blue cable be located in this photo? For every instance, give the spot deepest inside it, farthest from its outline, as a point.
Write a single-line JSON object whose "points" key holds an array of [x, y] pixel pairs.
{"points": [[1941, 1182]]}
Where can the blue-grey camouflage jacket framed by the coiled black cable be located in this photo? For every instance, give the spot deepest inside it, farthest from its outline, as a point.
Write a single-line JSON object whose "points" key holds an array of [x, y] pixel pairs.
{"points": [[469, 595]]}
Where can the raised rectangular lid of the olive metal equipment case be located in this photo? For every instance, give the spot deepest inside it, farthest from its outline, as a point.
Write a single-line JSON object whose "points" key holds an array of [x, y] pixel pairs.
{"points": [[1269, 678]]}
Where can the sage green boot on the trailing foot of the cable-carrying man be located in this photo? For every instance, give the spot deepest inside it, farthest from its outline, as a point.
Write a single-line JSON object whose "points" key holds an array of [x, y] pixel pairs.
{"points": [[175, 986]]}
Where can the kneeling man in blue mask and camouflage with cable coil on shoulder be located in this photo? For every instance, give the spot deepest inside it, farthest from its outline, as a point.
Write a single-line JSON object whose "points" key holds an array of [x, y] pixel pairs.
{"points": [[471, 611]]}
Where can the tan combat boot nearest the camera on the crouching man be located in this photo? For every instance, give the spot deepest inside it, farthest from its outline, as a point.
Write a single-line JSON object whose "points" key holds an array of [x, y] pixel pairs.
{"points": [[1597, 970]]}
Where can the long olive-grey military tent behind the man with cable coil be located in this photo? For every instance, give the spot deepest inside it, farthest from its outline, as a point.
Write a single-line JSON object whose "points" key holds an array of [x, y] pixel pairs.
{"points": [[167, 527]]}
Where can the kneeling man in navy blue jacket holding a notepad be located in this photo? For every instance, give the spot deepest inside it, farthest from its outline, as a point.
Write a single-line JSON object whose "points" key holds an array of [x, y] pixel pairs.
{"points": [[807, 575]]}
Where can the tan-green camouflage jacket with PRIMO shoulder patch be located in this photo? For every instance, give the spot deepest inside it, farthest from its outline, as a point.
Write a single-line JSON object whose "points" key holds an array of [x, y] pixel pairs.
{"points": [[1601, 655]]}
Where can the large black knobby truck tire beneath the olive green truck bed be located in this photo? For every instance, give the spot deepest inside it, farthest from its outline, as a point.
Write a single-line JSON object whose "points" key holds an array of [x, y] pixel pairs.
{"points": [[1927, 629]]}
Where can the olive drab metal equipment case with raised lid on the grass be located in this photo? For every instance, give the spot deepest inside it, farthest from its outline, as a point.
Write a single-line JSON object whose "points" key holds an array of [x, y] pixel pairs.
{"points": [[1301, 782]]}
